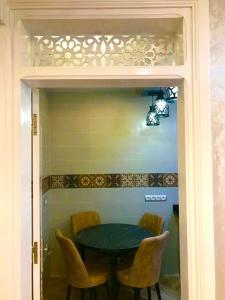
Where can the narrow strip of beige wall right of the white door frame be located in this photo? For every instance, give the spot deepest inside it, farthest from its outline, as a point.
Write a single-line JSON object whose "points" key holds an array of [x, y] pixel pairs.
{"points": [[217, 15]]}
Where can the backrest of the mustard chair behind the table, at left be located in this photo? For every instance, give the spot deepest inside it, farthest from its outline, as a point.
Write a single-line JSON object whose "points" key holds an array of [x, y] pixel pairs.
{"points": [[84, 219]]}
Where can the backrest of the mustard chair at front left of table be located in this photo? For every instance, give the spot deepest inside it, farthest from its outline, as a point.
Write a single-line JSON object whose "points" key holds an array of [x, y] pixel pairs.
{"points": [[77, 273]]}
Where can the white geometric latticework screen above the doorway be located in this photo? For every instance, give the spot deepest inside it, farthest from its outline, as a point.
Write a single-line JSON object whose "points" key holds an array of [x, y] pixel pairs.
{"points": [[106, 50]]}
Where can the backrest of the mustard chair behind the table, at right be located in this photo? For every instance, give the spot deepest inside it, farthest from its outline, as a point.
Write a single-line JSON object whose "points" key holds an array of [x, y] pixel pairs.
{"points": [[152, 222]]}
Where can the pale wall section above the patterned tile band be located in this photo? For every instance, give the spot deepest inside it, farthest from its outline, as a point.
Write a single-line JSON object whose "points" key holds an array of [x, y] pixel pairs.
{"points": [[104, 131]]}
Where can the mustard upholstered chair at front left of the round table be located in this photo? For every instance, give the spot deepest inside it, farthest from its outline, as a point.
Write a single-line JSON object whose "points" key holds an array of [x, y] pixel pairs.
{"points": [[80, 275]]}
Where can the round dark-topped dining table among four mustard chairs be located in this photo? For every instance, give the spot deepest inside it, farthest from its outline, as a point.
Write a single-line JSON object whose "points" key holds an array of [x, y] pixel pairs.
{"points": [[112, 239]]}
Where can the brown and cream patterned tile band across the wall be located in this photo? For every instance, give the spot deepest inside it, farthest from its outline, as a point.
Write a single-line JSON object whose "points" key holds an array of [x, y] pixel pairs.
{"points": [[109, 181]]}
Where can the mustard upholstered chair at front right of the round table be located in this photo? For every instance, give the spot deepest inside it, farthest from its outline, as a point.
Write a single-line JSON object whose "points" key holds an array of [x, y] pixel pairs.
{"points": [[145, 269]]}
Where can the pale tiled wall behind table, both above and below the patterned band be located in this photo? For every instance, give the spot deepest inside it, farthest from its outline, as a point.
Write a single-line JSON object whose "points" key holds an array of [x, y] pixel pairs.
{"points": [[104, 131]]}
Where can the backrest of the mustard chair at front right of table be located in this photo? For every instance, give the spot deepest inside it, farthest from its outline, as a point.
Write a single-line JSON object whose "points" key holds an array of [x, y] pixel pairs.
{"points": [[145, 270]]}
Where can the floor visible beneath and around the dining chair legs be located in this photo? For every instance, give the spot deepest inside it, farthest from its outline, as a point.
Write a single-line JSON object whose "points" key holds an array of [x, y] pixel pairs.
{"points": [[56, 290]]}
